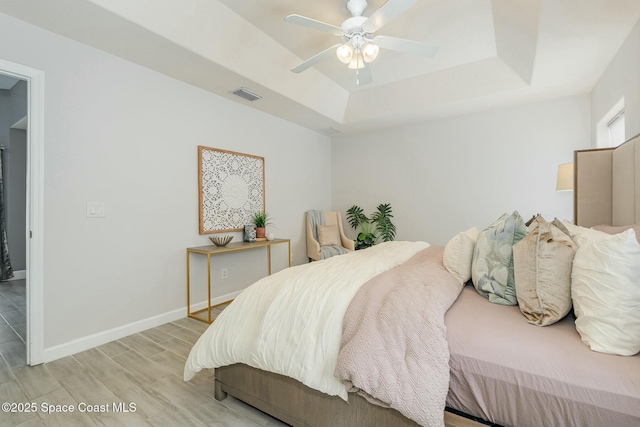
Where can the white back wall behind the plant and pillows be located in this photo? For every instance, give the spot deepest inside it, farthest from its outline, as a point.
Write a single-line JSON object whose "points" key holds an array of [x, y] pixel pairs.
{"points": [[446, 175]]}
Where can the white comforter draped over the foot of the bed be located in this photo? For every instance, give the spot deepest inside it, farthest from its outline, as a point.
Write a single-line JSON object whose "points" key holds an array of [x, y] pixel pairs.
{"points": [[290, 323]]}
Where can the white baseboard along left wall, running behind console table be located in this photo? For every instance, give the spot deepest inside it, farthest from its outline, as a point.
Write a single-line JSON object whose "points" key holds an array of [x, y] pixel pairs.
{"points": [[95, 340]]}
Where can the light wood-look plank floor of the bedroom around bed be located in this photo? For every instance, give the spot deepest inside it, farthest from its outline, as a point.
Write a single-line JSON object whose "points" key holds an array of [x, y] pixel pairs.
{"points": [[144, 369]]}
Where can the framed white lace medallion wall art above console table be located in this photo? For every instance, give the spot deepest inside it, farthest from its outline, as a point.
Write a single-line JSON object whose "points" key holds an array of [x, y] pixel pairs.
{"points": [[231, 189]]}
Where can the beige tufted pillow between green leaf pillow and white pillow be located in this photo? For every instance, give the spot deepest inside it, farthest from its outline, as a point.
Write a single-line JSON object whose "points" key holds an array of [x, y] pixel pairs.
{"points": [[542, 266]]}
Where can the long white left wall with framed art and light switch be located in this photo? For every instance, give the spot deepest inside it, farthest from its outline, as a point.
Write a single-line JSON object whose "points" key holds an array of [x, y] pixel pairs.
{"points": [[125, 135]]}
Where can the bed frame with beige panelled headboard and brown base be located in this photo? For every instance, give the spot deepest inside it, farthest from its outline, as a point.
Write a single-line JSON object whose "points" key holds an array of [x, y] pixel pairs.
{"points": [[606, 191]]}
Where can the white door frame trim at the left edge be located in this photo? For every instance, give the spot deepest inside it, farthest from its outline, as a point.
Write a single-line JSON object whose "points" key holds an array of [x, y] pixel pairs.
{"points": [[35, 206]]}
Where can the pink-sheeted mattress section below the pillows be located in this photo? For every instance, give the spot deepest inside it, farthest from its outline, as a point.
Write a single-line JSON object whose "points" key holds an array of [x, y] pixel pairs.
{"points": [[512, 373]]}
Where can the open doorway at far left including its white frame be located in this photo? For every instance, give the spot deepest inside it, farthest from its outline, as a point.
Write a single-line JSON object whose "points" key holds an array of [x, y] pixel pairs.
{"points": [[32, 238]]}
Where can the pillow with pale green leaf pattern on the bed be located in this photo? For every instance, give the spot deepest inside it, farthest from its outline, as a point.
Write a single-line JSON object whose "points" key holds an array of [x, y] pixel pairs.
{"points": [[492, 265]]}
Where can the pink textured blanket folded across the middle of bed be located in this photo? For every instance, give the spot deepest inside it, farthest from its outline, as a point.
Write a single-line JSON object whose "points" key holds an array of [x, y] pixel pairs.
{"points": [[394, 349]]}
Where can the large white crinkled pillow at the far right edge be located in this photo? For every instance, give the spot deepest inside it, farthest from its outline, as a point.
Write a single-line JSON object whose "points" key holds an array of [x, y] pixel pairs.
{"points": [[606, 293]]}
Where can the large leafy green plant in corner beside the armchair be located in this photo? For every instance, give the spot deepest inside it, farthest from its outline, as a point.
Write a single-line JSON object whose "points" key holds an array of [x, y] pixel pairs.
{"points": [[372, 229]]}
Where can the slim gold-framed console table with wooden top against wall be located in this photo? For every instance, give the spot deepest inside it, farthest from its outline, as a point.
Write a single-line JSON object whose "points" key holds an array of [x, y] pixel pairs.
{"points": [[211, 250]]}
